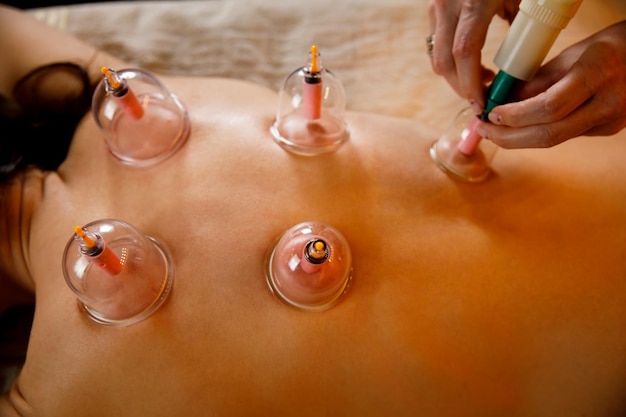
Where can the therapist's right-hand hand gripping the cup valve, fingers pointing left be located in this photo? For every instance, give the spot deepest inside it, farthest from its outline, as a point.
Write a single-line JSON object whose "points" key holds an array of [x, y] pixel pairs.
{"points": [[582, 91]]}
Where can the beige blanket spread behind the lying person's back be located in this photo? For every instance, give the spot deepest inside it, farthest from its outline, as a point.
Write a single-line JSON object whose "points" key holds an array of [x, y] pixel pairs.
{"points": [[375, 47]]}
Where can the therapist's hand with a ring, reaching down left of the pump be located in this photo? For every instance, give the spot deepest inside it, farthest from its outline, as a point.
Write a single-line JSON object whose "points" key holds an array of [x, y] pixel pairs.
{"points": [[460, 29]]}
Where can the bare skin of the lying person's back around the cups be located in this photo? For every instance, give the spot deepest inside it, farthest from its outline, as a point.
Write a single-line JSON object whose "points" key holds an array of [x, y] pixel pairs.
{"points": [[501, 298]]}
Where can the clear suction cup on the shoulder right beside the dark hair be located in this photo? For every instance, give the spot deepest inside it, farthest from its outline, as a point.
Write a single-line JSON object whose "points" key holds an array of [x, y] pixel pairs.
{"points": [[142, 122]]}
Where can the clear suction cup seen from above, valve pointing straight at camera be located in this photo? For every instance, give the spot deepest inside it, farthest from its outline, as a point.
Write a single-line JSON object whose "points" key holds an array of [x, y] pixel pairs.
{"points": [[310, 266]]}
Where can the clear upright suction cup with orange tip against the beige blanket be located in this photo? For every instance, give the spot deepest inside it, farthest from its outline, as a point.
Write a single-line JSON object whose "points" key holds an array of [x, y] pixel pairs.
{"points": [[311, 107]]}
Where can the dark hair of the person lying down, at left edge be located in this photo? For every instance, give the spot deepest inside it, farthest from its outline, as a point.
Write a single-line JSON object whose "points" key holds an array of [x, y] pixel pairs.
{"points": [[38, 123]]}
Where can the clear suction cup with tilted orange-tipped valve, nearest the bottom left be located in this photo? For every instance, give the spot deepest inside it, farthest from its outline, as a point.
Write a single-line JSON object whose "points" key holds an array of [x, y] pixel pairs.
{"points": [[119, 275]]}
